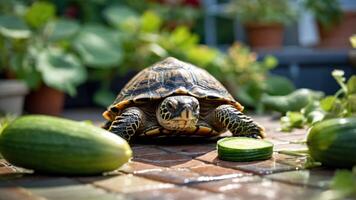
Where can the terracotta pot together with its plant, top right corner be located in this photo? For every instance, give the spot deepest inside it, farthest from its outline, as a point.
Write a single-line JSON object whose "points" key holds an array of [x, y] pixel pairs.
{"points": [[335, 24]]}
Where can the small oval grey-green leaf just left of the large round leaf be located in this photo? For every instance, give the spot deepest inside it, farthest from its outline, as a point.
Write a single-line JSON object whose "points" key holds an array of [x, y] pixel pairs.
{"points": [[61, 29]]}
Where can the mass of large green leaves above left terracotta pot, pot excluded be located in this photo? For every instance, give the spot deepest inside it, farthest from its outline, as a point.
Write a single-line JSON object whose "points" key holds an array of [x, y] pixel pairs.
{"points": [[40, 48]]}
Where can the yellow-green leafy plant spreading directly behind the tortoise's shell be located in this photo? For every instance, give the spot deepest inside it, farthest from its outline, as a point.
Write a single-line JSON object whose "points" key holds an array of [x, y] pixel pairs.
{"points": [[145, 41]]}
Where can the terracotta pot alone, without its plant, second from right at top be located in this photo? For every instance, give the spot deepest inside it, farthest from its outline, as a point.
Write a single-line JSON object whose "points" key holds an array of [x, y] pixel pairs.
{"points": [[265, 35]]}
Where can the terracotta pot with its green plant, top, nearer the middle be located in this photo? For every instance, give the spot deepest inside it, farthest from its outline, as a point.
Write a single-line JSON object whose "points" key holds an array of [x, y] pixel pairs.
{"points": [[263, 20]]}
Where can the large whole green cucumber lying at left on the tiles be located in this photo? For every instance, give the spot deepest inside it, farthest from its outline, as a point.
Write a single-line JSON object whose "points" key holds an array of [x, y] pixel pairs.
{"points": [[54, 145]]}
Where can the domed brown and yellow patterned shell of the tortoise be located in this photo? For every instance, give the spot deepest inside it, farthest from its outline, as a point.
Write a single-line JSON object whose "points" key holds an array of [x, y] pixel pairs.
{"points": [[166, 78]]}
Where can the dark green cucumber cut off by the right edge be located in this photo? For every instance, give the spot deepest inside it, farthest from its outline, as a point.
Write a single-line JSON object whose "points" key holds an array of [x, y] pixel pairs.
{"points": [[333, 142]]}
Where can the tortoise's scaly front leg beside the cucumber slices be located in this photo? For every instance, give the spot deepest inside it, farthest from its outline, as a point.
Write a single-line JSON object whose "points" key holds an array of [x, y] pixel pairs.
{"points": [[238, 123]]}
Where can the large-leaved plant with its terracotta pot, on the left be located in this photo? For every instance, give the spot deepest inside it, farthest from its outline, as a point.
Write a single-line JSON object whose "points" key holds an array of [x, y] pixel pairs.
{"points": [[35, 49]]}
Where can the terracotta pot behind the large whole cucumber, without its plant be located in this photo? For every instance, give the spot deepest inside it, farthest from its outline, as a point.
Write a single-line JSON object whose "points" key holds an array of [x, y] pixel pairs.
{"points": [[45, 100]]}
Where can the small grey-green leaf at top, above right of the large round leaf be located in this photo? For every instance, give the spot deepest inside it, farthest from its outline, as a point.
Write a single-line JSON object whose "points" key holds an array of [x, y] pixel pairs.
{"points": [[121, 17]]}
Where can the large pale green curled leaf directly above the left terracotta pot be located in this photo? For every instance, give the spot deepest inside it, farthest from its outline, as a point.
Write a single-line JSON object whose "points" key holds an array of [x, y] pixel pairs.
{"points": [[61, 70]]}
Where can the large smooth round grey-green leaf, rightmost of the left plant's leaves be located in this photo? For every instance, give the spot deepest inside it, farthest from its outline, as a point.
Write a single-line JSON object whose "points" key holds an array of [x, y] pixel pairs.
{"points": [[99, 47]]}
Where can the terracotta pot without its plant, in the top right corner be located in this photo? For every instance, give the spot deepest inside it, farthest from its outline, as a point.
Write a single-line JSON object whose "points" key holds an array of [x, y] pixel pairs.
{"points": [[338, 35]]}
